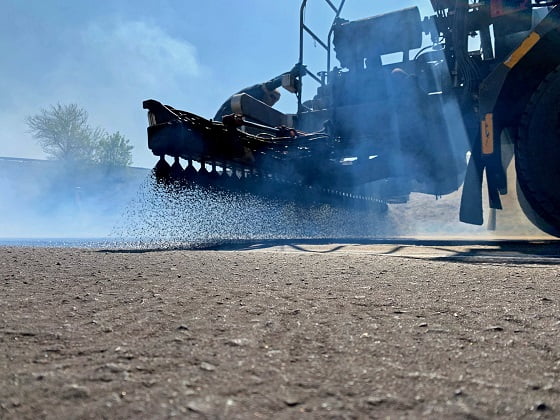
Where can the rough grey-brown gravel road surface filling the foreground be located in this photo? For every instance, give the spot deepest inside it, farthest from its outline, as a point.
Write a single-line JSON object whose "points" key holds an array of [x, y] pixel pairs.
{"points": [[285, 332]]}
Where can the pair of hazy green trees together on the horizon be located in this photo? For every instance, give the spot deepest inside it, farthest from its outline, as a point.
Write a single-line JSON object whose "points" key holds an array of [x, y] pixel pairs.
{"points": [[64, 133]]}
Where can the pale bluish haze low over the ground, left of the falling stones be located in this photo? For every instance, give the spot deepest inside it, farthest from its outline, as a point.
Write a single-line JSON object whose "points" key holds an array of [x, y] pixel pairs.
{"points": [[47, 199]]}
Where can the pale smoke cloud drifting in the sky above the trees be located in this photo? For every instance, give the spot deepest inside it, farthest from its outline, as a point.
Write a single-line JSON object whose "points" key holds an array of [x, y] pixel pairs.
{"points": [[130, 60]]}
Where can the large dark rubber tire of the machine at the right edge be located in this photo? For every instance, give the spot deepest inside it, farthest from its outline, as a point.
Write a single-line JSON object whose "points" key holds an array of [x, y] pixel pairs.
{"points": [[537, 156]]}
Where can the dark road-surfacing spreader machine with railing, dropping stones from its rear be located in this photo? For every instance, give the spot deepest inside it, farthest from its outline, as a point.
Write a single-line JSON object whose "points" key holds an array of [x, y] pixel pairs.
{"points": [[404, 104]]}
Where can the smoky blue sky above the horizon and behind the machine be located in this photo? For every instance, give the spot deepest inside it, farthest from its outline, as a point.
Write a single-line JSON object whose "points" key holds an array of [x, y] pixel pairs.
{"points": [[108, 56]]}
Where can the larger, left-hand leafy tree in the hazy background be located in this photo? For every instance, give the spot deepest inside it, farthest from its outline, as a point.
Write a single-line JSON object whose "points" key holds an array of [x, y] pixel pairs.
{"points": [[64, 133]]}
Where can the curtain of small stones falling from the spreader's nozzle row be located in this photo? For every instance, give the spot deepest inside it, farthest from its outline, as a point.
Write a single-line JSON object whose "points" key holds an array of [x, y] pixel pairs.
{"points": [[164, 217]]}
